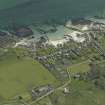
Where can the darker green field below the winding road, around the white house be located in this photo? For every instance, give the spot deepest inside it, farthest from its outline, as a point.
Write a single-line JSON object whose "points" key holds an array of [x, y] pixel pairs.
{"points": [[81, 93]]}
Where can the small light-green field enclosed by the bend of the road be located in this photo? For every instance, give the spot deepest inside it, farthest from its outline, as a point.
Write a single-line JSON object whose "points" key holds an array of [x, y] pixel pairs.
{"points": [[82, 67]]}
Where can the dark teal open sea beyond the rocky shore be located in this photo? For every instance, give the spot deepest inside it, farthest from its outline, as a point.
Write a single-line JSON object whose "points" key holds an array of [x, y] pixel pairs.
{"points": [[39, 11]]}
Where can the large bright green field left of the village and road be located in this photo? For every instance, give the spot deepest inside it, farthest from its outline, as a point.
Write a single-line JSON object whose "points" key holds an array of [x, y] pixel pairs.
{"points": [[18, 76]]}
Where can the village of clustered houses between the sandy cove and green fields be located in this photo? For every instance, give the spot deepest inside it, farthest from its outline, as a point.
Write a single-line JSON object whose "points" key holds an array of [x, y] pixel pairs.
{"points": [[76, 46]]}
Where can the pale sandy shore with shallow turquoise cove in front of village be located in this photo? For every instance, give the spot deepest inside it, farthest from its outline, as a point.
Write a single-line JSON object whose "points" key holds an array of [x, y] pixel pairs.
{"points": [[61, 36]]}
